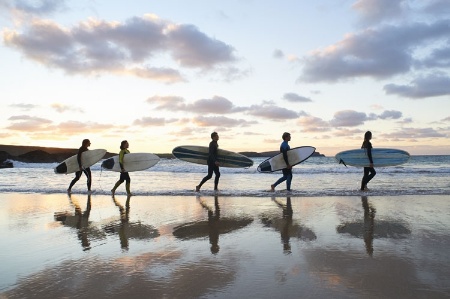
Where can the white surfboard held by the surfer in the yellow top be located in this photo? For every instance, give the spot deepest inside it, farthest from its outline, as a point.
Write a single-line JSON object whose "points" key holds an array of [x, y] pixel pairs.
{"points": [[132, 162]]}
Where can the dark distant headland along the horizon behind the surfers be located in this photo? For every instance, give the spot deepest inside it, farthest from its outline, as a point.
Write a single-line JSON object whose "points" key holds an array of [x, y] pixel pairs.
{"points": [[38, 154]]}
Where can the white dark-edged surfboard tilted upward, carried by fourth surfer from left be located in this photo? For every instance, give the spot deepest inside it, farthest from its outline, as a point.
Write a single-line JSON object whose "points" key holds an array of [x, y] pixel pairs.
{"points": [[295, 156]]}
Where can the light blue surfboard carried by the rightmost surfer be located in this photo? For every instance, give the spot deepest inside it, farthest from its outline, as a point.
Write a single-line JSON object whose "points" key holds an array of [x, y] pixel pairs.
{"points": [[382, 157]]}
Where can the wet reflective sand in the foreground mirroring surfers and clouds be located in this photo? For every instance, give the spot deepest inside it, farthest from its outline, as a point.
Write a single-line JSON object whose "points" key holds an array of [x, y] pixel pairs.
{"points": [[56, 246]]}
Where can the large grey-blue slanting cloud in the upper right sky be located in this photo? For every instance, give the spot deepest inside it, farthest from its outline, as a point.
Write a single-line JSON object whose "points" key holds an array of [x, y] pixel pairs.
{"points": [[374, 52]]}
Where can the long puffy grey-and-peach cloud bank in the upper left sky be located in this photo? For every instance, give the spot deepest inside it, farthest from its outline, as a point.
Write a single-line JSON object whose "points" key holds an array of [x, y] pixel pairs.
{"points": [[97, 46]]}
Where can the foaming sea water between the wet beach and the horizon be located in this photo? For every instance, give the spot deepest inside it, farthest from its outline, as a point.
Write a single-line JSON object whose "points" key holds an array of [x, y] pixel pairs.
{"points": [[318, 176]]}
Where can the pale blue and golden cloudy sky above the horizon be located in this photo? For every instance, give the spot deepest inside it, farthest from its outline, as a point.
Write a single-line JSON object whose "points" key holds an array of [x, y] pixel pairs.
{"points": [[161, 74]]}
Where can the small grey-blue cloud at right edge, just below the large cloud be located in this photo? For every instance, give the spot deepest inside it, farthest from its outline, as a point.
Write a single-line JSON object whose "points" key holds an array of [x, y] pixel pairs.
{"points": [[434, 85]]}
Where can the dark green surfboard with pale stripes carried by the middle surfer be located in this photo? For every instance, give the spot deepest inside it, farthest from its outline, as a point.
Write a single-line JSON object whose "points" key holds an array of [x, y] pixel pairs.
{"points": [[199, 155]]}
